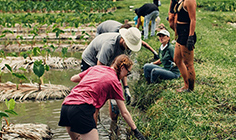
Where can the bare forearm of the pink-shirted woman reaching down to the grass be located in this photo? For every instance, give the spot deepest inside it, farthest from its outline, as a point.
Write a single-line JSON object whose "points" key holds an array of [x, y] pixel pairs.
{"points": [[125, 114]]}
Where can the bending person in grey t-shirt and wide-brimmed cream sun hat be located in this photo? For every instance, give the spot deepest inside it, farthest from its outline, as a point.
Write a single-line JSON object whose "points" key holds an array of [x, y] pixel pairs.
{"points": [[104, 48]]}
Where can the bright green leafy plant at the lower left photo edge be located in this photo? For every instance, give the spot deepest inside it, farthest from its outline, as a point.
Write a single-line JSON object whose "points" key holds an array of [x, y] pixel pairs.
{"points": [[10, 110]]}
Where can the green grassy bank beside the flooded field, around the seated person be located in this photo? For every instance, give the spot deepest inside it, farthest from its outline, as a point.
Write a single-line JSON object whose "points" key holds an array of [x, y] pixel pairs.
{"points": [[210, 111]]}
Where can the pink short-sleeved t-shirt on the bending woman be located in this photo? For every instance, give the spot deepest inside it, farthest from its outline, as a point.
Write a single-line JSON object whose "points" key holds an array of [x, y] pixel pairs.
{"points": [[97, 85]]}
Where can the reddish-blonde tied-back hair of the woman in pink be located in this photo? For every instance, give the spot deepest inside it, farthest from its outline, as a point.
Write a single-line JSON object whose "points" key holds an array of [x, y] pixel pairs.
{"points": [[121, 60]]}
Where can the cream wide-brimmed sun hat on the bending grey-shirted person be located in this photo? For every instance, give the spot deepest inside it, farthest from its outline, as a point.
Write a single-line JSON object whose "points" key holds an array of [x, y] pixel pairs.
{"points": [[132, 37]]}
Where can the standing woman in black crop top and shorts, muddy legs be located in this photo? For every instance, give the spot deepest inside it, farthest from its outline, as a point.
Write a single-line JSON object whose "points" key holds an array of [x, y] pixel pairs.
{"points": [[184, 48]]}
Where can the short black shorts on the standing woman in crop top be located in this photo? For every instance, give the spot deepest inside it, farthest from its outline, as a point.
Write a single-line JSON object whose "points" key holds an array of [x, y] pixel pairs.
{"points": [[183, 32]]}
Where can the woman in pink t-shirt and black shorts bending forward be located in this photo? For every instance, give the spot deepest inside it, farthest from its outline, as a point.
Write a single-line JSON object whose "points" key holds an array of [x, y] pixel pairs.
{"points": [[96, 86]]}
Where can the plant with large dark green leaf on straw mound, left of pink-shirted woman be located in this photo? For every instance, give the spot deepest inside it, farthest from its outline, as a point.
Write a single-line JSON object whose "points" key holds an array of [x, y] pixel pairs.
{"points": [[39, 69]]}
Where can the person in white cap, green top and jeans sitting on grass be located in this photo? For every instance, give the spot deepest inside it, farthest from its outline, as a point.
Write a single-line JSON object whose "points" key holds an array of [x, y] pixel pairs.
{"points": [[153, 72]]}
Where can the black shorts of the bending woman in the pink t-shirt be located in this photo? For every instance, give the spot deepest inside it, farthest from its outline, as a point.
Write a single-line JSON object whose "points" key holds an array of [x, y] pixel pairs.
{"points": [[78, 117]]}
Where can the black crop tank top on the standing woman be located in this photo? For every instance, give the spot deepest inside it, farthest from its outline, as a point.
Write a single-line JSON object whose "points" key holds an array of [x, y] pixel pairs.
{"points": [[182, 13]]}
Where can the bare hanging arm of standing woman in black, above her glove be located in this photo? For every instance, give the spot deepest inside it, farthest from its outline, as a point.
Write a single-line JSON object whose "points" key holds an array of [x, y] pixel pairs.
{"points": [[191, 5]]}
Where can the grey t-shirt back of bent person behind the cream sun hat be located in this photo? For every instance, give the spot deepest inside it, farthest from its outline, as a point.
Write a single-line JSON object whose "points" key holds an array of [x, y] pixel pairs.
{"points": [[108, 26]]}
